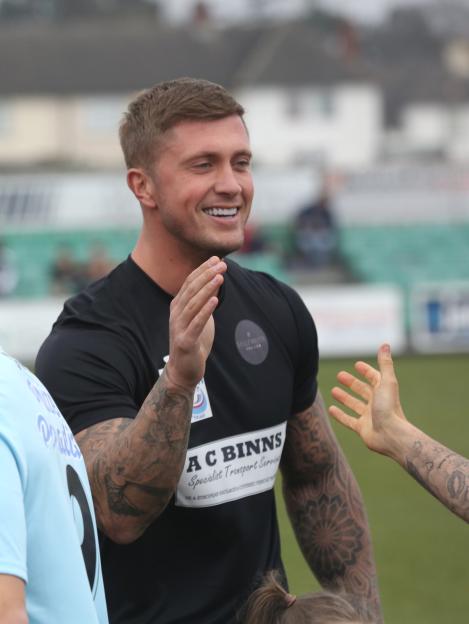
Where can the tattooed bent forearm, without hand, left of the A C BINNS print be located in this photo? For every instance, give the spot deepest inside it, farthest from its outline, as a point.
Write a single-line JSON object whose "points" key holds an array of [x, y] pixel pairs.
{"points": [[134, 465]]}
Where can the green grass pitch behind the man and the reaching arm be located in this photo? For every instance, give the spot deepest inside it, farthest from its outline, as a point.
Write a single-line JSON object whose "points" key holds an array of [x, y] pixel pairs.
{"points": [[421, 549]]}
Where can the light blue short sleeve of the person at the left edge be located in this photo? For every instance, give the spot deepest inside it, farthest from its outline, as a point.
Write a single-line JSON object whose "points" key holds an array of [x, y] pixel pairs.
{"points": [[12, 514]]}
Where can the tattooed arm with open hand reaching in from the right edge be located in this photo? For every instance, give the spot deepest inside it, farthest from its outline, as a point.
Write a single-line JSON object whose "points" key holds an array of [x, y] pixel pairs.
{"points": [[382, 425]]}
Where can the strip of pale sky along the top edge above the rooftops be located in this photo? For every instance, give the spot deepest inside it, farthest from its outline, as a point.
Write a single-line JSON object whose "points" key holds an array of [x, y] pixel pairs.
{"points": [[364, 10]]}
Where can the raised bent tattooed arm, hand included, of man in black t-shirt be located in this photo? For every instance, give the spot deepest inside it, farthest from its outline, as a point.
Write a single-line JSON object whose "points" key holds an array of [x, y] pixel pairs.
{"points": [[134, 465]]}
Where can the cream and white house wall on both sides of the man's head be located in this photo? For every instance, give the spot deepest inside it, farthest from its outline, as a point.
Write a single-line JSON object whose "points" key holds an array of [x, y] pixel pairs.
{"points": [[338, 126]]}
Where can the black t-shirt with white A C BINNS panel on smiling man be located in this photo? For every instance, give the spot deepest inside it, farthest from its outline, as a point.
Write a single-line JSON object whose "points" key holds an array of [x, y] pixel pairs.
{"points": [[199, 560]]}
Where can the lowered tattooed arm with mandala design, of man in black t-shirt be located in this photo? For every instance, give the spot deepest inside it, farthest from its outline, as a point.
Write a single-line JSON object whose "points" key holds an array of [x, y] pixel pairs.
{"points": [[326, 509]]}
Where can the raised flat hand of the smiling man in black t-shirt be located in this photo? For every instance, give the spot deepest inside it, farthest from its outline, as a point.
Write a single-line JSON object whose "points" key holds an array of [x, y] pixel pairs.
{"points": [[191, 326]]}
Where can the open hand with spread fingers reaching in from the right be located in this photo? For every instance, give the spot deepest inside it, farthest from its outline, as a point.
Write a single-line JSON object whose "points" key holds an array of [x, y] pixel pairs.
{"points": [[376, 406]]}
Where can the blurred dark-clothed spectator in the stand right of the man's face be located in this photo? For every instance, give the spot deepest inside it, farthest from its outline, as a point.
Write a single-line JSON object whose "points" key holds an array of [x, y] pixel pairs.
{"points": [[315, 232]]}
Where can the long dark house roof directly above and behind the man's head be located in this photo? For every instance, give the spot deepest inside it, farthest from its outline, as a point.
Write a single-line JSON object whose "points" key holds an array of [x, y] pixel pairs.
{"points": [[124, 55]]}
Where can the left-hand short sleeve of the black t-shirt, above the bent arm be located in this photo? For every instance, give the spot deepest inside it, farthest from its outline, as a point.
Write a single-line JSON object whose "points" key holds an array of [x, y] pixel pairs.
{"points": [[90, 375]]}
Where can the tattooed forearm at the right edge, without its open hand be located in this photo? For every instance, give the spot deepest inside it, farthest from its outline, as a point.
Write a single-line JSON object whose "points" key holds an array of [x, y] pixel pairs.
{"points": [[440, 471]]}
